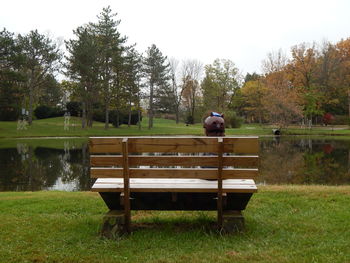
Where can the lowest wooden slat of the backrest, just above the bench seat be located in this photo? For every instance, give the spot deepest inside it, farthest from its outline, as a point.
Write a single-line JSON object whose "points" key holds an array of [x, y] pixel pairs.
{"points": [[203, 173]]}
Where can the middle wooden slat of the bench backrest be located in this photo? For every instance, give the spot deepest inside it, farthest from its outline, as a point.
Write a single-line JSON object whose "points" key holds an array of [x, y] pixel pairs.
{"points": [[237, 161]]}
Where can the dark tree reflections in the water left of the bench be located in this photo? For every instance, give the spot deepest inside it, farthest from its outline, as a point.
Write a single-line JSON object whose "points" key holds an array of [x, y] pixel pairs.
{"points": [[24, 168]]}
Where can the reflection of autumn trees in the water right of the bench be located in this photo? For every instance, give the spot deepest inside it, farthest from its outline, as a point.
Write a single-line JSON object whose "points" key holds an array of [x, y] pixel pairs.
{"points": [[305, 161]]}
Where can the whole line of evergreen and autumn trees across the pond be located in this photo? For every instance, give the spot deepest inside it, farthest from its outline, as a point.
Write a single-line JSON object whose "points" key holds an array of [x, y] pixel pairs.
{"points": [[113, 82]]}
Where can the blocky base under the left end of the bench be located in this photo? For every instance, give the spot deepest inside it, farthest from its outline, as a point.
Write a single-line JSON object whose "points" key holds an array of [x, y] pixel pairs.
{"points": [[113, 224]]}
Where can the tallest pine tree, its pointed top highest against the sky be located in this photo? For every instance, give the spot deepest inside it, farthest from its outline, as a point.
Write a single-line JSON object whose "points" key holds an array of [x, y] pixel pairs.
{"points": [[110, 48]]}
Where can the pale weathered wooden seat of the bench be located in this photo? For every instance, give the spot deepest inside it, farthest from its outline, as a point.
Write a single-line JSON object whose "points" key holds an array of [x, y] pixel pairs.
{"points": [[174, 185]]}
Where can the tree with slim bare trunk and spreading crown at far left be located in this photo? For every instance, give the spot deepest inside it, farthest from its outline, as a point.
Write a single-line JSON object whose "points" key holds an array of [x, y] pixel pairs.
{"points": [[42, 57]]}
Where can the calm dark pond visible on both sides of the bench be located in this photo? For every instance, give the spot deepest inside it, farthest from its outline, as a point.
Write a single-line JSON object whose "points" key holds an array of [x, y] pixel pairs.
{"points": [[63, 164]]}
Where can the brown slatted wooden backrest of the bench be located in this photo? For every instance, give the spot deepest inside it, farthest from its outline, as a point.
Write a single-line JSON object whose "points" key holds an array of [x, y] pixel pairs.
{"points": [[233, 157]]}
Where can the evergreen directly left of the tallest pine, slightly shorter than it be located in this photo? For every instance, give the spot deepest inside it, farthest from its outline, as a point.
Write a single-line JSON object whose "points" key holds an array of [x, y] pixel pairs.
{"points": [[82, 67]]}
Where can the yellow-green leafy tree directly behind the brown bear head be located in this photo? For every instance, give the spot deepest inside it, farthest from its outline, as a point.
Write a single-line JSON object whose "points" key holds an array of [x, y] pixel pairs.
{"points": [[221, 81]]}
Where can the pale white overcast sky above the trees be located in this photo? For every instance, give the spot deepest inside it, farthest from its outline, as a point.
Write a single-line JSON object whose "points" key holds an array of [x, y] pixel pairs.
{"points": [[242, 31]]}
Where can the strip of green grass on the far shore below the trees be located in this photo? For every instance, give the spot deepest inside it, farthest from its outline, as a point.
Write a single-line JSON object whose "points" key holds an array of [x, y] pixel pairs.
{"points": [[55, 127]]}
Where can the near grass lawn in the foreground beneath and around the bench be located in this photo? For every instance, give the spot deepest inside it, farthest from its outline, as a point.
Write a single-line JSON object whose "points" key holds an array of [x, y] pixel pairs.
{"points": [[283, 224]]}
